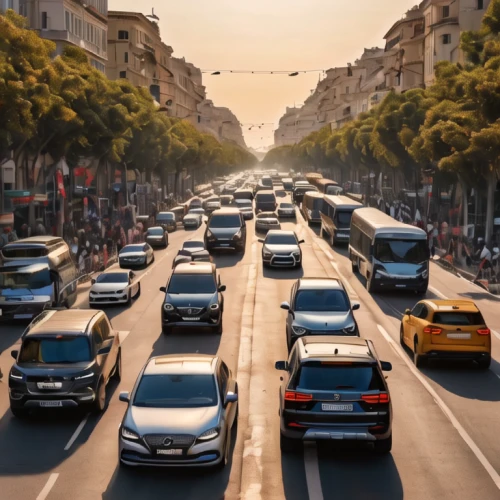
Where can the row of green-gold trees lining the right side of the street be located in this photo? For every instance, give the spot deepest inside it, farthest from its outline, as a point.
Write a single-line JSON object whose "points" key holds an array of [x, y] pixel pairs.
{"points": [[453, 125]]}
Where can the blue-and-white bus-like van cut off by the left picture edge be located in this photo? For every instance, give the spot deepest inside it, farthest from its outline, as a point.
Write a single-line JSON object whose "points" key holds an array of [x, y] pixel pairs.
{"points": [[36, 273]]}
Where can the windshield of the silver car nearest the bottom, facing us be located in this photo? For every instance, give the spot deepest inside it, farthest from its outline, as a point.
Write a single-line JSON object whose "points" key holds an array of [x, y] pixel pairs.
{"points": [[176, 391]]}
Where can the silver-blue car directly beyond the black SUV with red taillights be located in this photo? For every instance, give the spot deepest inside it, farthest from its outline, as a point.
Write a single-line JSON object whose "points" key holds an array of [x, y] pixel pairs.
{"points": [[319, 306]]}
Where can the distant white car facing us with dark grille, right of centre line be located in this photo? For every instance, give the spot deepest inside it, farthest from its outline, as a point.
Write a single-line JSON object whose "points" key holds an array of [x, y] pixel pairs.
{"points": [[281, 249]]}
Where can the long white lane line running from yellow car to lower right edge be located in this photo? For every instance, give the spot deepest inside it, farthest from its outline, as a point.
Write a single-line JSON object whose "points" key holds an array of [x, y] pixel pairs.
{"points": [[444, 408]]}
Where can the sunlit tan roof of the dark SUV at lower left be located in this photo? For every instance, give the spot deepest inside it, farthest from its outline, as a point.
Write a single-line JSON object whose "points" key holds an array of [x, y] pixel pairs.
{"points": [[67, 322]]}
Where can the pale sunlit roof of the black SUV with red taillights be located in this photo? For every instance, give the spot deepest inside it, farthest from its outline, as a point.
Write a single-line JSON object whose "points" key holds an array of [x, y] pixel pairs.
{"points": [[331, 347]]}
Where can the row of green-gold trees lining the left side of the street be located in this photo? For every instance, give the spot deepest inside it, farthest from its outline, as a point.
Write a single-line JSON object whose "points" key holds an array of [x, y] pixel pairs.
{"points": [[64, 107]]}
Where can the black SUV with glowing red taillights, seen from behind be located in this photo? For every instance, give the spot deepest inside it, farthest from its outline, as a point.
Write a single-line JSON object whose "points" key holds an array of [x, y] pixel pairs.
{"points": [[334, 388]]}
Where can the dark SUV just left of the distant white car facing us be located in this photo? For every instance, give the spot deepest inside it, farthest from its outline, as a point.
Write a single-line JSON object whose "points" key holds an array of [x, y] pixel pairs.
{"points": [[226, 230]]}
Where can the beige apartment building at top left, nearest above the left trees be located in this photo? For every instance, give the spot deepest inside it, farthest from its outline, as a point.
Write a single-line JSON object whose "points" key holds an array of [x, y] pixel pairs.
{"points": [[67, 22]]}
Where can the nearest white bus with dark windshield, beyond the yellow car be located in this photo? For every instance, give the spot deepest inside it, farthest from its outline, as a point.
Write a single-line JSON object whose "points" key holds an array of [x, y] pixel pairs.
{"points": [[391, 255]]}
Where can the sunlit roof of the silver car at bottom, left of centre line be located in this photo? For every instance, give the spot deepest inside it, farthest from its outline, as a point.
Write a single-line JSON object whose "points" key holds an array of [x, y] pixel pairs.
{"points": [[181, 364]]}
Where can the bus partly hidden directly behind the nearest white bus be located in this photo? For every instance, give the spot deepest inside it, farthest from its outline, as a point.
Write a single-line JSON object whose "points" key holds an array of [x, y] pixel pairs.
{"points": [[336, 218]]}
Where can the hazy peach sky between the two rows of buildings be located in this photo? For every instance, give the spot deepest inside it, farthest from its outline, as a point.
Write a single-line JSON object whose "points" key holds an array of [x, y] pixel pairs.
{"points": [[268, 35]]}
